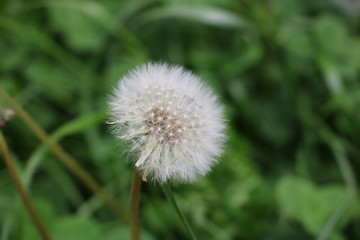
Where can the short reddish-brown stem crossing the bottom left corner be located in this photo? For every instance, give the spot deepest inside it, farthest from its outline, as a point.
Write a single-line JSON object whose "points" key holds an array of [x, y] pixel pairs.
{"points": [[24, 196]]}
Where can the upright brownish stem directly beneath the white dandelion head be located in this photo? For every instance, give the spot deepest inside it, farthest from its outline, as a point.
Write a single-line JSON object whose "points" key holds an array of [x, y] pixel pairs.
{"points": [[135, 205]]}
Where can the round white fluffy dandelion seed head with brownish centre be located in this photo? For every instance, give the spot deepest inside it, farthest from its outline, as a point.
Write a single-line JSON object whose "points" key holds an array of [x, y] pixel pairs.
{"points": [[171, 118]]}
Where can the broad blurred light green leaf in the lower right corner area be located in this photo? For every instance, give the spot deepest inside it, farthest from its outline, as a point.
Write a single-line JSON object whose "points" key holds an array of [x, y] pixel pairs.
{"points": [[299, 199]]}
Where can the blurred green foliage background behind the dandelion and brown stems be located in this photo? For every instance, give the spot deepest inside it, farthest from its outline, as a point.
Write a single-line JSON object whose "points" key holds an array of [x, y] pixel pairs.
{"points": [[286, 70]]}
